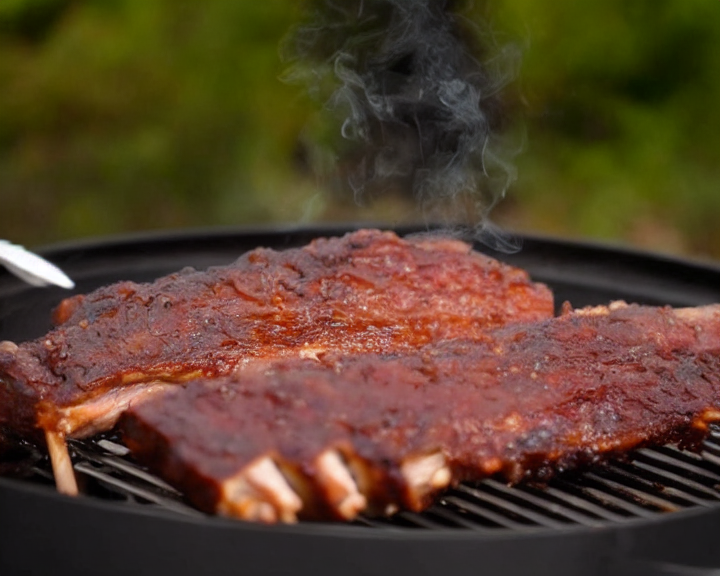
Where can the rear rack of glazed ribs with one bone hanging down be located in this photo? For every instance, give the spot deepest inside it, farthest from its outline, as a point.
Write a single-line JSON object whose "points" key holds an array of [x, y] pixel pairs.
{"points": [[367, 292]]}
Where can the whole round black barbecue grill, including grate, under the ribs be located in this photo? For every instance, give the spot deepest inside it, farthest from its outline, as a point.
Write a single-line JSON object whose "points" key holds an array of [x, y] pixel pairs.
{"points": [[656, 512]]}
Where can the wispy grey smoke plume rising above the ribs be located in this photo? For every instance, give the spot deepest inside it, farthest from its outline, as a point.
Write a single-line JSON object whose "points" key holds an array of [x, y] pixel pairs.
{"points": [[417, 88]]}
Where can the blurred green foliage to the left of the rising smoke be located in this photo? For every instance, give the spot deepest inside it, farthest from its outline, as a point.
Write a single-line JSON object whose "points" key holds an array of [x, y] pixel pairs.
{"points": [[147, 114]]}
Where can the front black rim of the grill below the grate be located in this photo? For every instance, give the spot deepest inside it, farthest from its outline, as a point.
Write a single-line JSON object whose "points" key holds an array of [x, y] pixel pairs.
{"points": [[214, 545]]}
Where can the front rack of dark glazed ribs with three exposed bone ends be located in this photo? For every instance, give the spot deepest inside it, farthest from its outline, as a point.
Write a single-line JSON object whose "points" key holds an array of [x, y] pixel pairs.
{"points": [[379, 432]]}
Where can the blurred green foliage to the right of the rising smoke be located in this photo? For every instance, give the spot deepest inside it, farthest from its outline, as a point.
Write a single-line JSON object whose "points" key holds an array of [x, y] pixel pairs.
{"points": [[623, 122]]}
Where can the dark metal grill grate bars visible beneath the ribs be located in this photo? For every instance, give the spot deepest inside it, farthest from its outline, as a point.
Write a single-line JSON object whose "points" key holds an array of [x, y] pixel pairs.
{"points": [[648, 483]]}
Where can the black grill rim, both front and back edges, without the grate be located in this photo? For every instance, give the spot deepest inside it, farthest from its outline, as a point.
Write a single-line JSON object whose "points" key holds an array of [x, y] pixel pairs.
{"points": [[27, 508]]}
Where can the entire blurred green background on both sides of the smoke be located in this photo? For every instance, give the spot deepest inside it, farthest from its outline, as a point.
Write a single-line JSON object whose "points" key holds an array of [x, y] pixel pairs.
{"points": [[128, 115]]}
